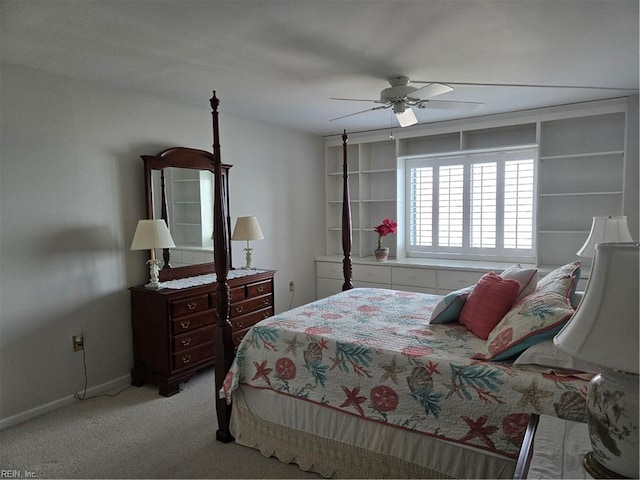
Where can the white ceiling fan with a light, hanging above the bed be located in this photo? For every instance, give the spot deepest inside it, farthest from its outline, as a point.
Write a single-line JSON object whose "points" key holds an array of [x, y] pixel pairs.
{"points": [[401, 96]]}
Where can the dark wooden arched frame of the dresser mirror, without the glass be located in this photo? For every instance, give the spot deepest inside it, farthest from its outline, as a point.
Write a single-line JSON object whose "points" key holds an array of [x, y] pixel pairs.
{"points": [[191, 158]]}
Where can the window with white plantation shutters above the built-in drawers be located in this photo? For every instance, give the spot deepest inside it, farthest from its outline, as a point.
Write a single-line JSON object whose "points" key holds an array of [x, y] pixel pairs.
{"points": [[472, 205]]}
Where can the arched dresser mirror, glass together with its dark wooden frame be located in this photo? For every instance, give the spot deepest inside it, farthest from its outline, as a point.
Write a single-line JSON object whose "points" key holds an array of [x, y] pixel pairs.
{"points": [[179, 185]]}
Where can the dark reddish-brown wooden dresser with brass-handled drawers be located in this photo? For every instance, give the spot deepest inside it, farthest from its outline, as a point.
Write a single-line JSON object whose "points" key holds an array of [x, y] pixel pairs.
{"points": [[173, 328]]}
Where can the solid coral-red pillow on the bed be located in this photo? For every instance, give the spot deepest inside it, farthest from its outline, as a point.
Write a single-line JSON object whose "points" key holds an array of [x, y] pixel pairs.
{"points": [[488, 302]]}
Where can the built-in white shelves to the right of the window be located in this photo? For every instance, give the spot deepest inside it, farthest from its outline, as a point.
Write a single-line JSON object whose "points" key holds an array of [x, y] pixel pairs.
{"points": [[581, 175]]}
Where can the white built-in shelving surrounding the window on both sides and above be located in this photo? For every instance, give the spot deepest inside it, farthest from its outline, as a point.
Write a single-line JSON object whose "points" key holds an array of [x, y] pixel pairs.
{"points": [[580, 172]]}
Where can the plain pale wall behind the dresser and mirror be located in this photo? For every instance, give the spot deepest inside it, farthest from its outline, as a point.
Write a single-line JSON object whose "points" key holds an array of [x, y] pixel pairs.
{"points": [[71, 195]]}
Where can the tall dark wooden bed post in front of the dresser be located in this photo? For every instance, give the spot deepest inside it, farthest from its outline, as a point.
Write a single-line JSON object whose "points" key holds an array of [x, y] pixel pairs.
{"points": [[223, 341]]}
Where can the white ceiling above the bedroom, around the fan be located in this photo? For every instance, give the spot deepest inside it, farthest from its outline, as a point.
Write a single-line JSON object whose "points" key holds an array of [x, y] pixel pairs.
{"points": [[279, 61]]}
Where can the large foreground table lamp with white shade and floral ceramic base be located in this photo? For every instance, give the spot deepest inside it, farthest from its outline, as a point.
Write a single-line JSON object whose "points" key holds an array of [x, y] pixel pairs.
{"points": [[604, 331]]}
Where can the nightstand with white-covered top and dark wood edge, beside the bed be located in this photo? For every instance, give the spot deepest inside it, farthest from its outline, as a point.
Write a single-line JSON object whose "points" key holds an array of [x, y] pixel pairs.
{"points": [[553, 448]]}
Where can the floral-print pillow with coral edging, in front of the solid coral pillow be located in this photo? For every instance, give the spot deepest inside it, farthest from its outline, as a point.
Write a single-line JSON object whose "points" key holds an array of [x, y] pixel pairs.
{"points": [[537, 318]]}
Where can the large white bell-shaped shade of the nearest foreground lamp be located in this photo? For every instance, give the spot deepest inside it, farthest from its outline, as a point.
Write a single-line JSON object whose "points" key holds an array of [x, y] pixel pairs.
{"points": [[604, 328]]}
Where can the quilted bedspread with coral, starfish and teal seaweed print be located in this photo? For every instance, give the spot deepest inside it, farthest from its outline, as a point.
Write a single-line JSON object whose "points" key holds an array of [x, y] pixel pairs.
{"points": [[372, 353]]}
